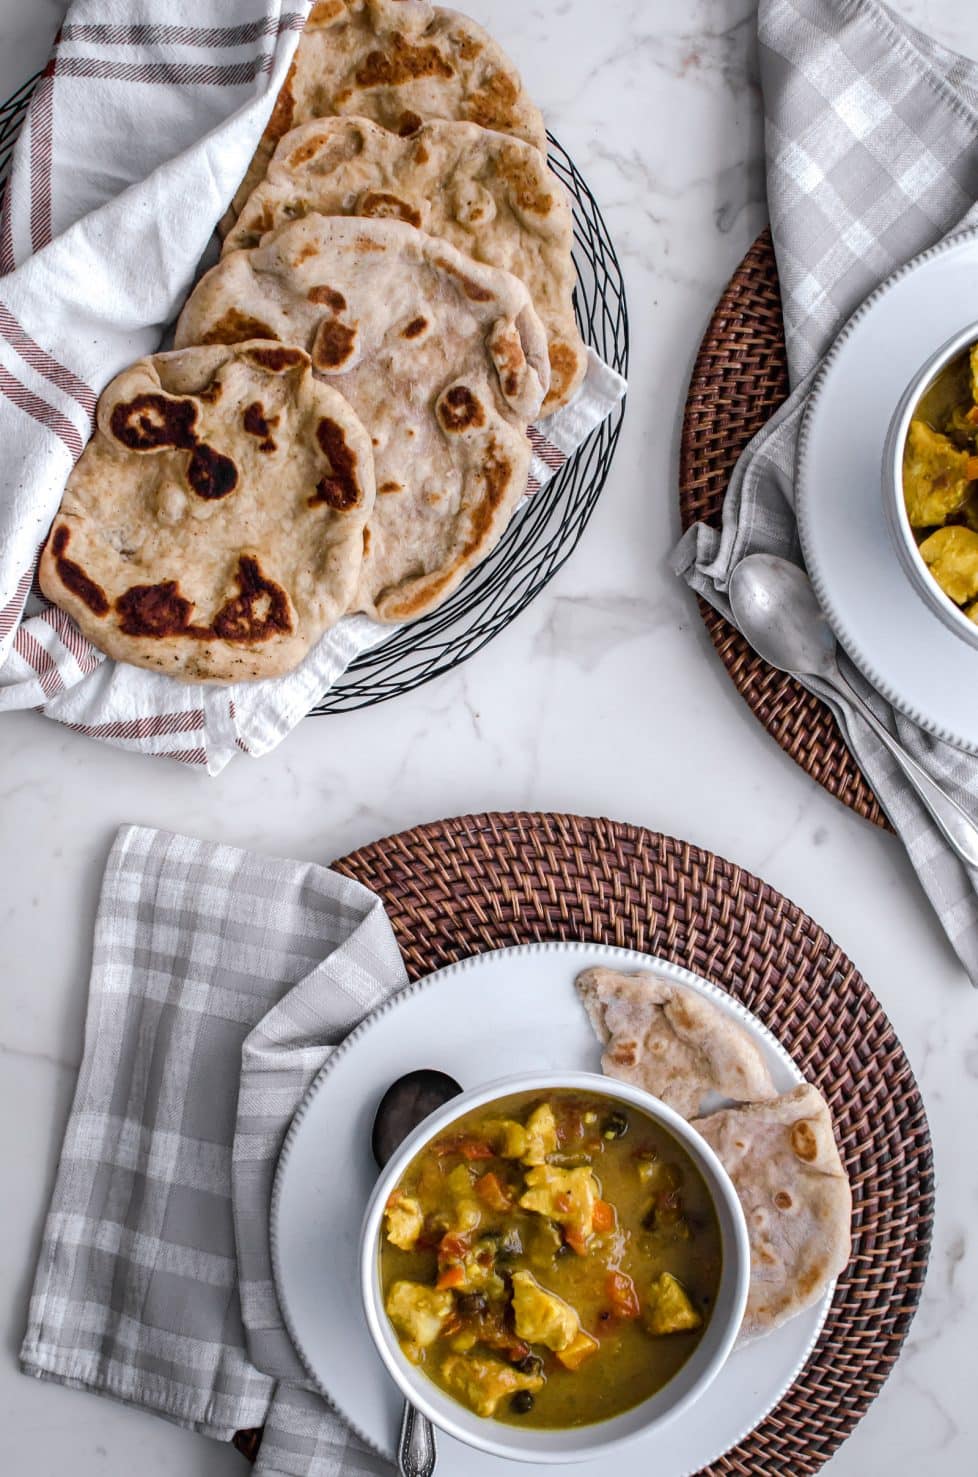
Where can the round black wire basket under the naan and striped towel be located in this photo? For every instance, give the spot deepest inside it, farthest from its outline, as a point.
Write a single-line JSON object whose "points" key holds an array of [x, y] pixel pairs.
{"points": [[544, 534]]}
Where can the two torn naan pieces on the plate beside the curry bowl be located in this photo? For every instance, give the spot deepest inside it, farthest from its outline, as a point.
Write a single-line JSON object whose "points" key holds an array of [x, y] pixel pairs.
{"points": [[779, 1150]]}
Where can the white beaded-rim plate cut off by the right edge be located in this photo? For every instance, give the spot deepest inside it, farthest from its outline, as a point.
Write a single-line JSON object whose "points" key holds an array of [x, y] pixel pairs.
{"points": [[895, 639]]}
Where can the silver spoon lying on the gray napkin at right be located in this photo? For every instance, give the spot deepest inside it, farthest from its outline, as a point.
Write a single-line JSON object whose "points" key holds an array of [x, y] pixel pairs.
{"points": [[778, 612]]}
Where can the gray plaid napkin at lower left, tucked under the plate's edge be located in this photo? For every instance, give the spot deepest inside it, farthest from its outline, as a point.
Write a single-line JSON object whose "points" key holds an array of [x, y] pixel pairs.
{"points": [[221, 983]]}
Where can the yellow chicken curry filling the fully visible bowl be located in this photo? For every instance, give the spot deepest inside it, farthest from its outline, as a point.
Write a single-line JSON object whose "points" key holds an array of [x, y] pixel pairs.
{"points": [[552, 1261]]}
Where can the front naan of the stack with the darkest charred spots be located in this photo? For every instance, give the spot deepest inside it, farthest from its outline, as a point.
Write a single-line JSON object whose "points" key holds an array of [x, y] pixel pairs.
{"points": [[213, 528]]}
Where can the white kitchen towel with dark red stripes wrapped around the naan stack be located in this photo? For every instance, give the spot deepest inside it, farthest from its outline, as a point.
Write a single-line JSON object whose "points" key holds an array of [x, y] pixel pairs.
{"points": [[137, 140]]}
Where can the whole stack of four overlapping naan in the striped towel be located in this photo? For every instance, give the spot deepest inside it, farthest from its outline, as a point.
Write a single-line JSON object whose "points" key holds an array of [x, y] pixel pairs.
{"points": [[342, 425]]}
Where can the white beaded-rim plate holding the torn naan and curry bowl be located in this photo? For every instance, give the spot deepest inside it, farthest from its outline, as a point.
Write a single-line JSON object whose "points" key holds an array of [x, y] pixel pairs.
{"points": [[515, 1011]]}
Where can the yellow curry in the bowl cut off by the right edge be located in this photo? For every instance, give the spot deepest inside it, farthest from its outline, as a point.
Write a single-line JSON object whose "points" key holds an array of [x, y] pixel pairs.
{"points": [[940, 481]]}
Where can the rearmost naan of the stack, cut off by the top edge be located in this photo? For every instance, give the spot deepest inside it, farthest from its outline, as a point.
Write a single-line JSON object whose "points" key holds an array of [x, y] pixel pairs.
{"points": [[398, 63]]}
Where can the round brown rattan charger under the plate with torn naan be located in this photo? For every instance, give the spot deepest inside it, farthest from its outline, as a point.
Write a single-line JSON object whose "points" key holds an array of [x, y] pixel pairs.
{"points": [[481, 883]]}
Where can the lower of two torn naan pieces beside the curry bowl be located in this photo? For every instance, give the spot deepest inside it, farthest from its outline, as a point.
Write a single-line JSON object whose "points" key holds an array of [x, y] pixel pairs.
{"points": [[784, 1162]]}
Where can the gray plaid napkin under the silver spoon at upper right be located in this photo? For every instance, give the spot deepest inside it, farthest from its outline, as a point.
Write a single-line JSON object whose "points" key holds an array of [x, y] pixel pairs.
{"points": [[872, 157]]}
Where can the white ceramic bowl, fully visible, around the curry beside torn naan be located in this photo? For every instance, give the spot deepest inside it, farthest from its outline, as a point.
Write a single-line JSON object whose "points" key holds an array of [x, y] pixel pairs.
{"points": [[583, 1442]]}
